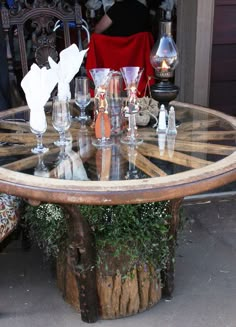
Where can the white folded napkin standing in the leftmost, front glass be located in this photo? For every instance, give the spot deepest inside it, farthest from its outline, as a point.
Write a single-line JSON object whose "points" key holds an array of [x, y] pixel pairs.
{"points": [[38, 84]]}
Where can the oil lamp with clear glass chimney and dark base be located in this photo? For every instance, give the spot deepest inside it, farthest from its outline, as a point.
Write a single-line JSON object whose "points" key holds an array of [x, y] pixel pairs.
{"points": [[164, 59]]}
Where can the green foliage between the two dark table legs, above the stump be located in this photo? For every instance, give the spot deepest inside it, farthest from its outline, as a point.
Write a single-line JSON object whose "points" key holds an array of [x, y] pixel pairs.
{"points": [[139, 232]]}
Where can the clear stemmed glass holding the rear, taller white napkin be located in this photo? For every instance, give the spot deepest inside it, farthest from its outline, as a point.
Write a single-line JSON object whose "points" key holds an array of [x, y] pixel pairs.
{"points": [[61, 119]]}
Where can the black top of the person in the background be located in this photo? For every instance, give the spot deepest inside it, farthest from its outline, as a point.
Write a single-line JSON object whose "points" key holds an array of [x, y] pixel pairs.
{"points": [[128, 17]]}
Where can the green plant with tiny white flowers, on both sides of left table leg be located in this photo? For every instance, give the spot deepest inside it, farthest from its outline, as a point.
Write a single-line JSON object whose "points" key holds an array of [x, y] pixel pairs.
{"points": [[126, 235]]}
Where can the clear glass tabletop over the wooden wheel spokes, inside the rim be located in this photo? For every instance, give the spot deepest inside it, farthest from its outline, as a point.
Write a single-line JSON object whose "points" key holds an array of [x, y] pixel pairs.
{"points": [[202, 138]]}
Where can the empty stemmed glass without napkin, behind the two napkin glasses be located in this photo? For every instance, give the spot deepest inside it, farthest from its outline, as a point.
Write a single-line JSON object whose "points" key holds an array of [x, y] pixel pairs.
{"points": [[82, 96]]}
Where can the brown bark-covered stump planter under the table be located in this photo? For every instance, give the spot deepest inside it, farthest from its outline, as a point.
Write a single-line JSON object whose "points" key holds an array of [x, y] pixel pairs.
{"points": [[118, 297]]}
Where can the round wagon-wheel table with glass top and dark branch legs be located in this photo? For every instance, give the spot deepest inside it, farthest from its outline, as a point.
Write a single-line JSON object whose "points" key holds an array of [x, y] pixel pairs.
{"points": [[199, 158]]}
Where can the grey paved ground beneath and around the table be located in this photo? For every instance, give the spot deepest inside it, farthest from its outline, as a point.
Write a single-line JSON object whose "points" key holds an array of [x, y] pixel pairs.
{"points": [[205, 293]]}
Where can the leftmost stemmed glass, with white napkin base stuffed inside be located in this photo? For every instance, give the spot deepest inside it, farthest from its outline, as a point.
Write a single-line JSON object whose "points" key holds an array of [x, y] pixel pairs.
{"points": [[38, 126]]}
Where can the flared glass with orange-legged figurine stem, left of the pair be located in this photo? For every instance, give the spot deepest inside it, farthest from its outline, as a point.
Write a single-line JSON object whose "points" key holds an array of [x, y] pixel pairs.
{"points": [[101, 78]]}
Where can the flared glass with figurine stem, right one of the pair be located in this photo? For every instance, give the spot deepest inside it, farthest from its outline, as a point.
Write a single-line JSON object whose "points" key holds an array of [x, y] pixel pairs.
{"points": [[131, 76]]}
